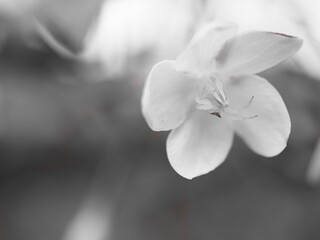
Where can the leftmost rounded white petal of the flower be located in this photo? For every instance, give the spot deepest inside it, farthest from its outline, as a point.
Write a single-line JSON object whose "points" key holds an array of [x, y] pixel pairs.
{"points": [[167, 97]]}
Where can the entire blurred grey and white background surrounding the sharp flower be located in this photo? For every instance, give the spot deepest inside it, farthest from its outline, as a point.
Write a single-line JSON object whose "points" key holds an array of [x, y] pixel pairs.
{"points": [[77, 160]]}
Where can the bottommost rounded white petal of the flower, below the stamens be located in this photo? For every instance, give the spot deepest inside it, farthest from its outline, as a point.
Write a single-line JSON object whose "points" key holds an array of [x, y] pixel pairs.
{"points": [[200, 145]]}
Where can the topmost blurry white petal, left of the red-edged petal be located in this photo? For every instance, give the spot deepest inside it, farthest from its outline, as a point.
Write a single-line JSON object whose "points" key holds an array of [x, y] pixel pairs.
{"points": [[200, 54]]}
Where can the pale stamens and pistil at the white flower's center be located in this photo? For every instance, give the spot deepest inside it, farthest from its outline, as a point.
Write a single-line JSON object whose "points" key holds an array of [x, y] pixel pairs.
{"points": [[212, 99]]}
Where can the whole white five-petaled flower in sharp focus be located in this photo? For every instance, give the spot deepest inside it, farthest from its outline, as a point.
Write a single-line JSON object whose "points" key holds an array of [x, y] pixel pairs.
{"points": [[210, 91]]}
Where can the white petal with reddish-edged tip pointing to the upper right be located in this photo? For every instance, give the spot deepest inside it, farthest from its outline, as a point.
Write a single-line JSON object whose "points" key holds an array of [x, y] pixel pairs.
{"points": [[254, 52]]}
